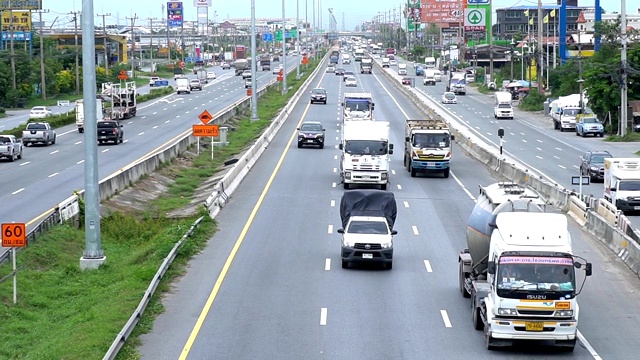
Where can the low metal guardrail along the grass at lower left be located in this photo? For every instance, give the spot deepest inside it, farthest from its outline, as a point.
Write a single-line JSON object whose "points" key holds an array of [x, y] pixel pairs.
{"points": [[126, 331]]}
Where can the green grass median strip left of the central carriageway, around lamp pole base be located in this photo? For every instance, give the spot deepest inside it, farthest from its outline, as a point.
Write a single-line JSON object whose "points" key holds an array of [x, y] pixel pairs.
{"points": [[63, 313]]}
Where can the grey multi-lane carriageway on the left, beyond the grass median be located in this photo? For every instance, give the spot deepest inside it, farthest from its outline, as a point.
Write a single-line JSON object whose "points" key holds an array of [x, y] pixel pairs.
{"points": [[47, 175]]}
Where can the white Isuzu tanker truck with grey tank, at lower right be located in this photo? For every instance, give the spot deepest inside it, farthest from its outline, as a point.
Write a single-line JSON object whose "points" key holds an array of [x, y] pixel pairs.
{"points": [[519, 270]]}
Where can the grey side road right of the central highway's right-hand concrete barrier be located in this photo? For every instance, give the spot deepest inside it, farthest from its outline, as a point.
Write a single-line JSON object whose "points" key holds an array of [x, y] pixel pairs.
{"points": [[529, 138]]}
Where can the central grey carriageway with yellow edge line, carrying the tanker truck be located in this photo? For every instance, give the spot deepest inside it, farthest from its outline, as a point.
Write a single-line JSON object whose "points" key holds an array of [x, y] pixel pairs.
{"points": [[269, 286]]}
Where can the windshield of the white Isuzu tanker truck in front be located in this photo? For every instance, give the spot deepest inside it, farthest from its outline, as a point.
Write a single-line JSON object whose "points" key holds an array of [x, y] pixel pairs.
{"points": [[535, 273]]}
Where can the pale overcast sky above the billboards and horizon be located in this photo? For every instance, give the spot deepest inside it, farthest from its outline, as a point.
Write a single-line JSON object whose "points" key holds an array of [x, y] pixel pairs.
{"points": [[354, 11]]}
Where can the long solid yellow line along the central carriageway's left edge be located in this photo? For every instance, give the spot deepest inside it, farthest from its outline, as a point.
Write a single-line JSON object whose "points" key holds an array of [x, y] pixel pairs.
{"points": [[214, 292]]}
